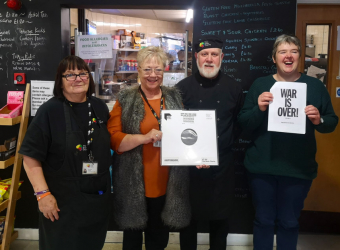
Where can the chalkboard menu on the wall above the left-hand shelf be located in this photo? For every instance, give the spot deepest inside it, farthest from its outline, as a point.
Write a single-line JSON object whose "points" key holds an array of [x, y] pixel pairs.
{"points": [[28, 44]]}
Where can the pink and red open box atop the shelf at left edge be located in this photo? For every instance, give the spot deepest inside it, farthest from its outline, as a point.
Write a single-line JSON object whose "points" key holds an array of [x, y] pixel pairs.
{"points": [[14, 105]]}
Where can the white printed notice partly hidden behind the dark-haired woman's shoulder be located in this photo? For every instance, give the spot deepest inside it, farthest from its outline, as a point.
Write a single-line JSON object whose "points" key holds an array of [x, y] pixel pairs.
{"points": [[41, 92]]}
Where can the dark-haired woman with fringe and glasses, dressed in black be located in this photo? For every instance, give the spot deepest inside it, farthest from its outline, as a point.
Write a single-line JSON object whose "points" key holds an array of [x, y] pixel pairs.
{"points": [[67, 158]]}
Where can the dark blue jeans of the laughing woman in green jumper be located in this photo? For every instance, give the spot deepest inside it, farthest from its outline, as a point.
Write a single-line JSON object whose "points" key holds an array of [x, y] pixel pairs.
{"points": [[278, 201]]}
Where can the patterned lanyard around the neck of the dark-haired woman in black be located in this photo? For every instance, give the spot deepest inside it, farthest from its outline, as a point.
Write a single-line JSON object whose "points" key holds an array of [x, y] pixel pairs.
{"points": [[92, 120]]}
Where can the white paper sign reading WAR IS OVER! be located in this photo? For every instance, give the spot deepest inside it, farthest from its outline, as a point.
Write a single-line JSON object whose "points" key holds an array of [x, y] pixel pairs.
{"points": [[287, 111]]}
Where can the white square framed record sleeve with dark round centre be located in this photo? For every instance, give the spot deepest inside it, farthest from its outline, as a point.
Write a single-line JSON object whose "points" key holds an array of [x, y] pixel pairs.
{"points": [[189, 138]]}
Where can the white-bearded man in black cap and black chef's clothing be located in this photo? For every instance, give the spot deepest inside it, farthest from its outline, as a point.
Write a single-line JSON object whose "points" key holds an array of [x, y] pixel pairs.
{"points": [[212, 188]]}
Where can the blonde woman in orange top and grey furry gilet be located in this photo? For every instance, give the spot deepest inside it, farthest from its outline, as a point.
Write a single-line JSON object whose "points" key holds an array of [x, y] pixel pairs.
{"points": [[147, 196]]}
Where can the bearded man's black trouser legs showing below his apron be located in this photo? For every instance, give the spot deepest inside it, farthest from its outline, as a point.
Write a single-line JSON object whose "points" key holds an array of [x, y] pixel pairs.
{"points": [[218, 232]]}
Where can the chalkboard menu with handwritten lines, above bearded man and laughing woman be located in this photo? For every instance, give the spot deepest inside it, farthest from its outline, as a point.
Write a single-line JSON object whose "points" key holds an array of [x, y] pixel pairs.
{"points": [[248, 29]]}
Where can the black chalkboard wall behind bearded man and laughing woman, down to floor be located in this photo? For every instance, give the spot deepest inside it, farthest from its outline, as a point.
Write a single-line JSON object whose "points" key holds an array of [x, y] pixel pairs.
{"points": [[248, 29]]}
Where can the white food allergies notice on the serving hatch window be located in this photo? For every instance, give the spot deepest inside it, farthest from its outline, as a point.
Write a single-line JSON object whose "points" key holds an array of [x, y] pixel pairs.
{"points": [[95, 46]]}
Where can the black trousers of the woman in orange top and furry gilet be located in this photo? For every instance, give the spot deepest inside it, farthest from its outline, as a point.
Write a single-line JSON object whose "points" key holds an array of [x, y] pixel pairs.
{"points": [[156, 233]]}
